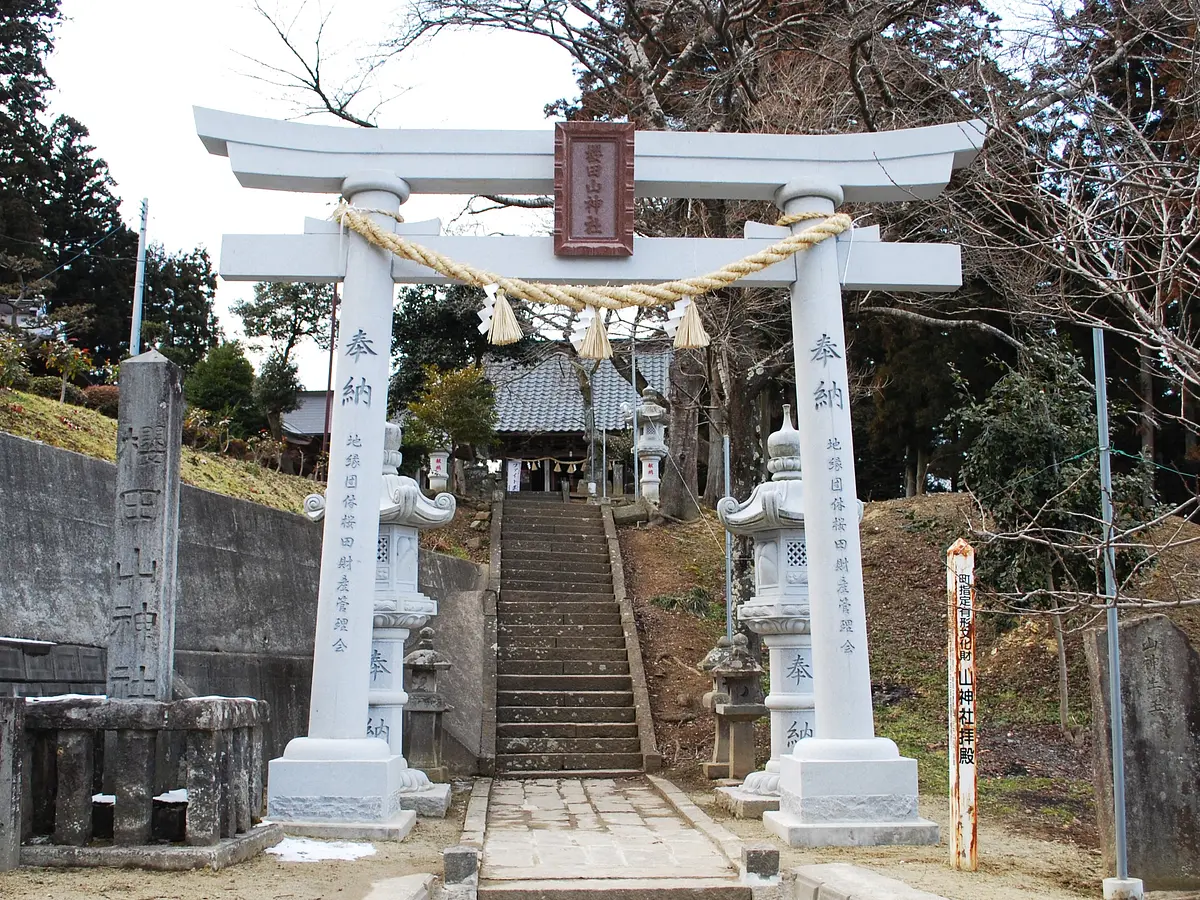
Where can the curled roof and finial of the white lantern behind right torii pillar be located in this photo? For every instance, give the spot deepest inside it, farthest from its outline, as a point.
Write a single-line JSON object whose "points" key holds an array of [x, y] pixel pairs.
{"points": [[773, 505]]}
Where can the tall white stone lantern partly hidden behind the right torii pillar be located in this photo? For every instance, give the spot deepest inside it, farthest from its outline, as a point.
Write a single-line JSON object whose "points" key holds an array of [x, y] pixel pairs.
{"points": [[779, 609]]}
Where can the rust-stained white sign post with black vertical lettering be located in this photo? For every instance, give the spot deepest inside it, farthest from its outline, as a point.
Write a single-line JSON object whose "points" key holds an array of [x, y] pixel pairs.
{"points": [[963, 699]]}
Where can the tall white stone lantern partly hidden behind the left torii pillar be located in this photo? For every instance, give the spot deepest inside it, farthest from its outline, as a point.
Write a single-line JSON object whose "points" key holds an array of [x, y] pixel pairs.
{"points": [[399, 604]]}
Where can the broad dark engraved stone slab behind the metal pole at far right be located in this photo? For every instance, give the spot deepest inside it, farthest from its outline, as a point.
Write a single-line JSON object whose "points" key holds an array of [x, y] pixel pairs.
{"points": [[1161, 704]]}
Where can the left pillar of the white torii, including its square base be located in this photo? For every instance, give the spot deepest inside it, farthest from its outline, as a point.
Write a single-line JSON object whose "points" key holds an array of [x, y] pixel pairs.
{"points": [[337, 782]]}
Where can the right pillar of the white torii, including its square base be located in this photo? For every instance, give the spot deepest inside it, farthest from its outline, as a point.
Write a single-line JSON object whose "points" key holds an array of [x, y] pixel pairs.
{"points": [[844, 787]]}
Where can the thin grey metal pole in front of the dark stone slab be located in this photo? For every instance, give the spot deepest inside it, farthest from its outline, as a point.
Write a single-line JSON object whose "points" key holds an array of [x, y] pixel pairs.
{"points": [[1111, 593]]}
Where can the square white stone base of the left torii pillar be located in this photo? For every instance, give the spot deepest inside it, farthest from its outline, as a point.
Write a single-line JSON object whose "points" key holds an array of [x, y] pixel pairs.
{"points": [[350, 788]]}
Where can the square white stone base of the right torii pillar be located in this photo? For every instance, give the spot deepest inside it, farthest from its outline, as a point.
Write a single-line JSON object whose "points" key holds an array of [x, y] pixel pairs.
{"points": [[827, 800]]}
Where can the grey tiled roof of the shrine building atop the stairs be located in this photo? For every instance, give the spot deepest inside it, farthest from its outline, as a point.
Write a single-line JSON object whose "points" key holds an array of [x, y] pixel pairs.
{"points": [[547, 397]]}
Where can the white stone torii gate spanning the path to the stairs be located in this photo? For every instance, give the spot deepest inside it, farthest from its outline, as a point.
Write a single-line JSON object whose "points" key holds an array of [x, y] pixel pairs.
{"points": [[844, 785]]}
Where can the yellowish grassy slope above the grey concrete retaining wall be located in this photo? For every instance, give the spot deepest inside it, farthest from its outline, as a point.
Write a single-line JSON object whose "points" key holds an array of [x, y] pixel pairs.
{"points": [[88, 433]]}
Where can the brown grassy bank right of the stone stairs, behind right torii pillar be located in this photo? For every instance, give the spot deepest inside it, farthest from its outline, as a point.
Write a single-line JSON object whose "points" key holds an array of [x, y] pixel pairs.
{"points": [[1030, 772]]}
